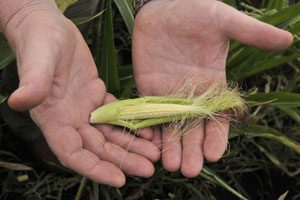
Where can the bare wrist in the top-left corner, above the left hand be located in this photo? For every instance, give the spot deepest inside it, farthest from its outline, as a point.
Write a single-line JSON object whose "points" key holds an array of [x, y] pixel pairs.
{"points": [[13, 12]]}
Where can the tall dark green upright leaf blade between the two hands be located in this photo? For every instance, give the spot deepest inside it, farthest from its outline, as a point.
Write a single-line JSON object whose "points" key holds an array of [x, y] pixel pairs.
{"points": [[108, 70]]}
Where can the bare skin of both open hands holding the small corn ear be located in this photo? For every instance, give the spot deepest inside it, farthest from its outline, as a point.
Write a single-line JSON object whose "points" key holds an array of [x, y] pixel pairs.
{"points": [[60, 86]]}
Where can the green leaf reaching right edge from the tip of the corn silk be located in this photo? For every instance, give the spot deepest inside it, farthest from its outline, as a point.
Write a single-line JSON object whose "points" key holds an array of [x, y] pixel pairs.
{"points": [[275, 99]]}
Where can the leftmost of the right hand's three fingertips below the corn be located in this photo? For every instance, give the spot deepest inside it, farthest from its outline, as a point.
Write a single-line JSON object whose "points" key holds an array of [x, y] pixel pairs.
{"points": [[171, 151]]}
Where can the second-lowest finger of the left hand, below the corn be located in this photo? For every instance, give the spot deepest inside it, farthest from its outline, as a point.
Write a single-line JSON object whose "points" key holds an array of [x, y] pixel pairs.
{"points": [[130, 163]]}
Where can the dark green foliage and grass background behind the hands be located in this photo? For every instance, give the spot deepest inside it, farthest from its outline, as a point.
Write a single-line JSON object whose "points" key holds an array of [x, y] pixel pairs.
{"points": [[263, 159]]}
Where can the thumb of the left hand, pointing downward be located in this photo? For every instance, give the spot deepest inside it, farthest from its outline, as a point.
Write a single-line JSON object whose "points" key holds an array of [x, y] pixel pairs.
{"points": [[36, 64]]}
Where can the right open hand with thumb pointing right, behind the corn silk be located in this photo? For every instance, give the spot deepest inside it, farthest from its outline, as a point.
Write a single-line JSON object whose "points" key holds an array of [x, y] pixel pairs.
{"points": [[174, 38]]}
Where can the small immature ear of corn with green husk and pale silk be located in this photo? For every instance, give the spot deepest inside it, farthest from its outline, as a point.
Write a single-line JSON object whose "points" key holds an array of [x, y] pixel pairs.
{"points": [[153, 110]]}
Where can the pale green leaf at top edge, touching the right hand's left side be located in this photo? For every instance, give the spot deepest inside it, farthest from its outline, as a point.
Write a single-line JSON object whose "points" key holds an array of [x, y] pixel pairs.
{"points": [[125, 9]]}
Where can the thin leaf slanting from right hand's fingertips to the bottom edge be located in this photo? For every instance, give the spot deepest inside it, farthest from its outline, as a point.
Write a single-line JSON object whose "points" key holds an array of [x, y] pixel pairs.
{"points": [[209, 175]]}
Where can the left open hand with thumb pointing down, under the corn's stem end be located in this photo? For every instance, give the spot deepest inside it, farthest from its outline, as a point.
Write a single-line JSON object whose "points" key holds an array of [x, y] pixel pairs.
{"points": [[59, 84]]}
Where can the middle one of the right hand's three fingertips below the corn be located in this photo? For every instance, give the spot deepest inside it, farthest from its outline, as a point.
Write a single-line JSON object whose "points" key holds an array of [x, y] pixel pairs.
{"points": [[192, 155]]}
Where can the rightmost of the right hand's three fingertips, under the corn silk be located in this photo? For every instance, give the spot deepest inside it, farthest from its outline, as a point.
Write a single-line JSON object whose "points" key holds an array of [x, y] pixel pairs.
{"points": [[216, 137]]}
